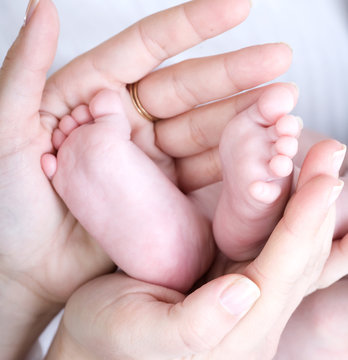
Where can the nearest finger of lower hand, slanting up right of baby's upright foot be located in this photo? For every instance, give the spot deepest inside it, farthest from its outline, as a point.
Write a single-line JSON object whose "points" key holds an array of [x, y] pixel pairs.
{"points": [[294, 237]]}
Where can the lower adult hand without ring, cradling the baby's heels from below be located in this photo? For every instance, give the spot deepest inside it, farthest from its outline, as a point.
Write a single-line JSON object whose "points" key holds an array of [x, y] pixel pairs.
{"points": [[116, 317]]}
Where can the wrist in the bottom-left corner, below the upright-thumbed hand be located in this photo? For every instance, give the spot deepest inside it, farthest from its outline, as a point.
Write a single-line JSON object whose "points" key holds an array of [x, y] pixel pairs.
{"points": [[23, 317]]}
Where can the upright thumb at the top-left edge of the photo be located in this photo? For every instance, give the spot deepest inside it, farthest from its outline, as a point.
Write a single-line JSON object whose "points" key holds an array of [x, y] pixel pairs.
{"points": [[23, 74]]}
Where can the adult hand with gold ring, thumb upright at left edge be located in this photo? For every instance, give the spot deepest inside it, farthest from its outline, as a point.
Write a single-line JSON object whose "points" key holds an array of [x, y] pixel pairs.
{"points": [[45, 253]]}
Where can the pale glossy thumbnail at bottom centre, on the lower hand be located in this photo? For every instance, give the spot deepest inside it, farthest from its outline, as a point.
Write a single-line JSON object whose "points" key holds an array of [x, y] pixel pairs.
{"points": [[238, 298]]}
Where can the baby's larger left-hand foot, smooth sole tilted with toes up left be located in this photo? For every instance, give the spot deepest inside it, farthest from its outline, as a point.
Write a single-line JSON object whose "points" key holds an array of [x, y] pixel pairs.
{"points": [[143, 222]]}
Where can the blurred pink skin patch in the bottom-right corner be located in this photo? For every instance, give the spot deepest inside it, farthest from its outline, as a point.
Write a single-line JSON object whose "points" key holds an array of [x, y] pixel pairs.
{"points": [[318, 329]]}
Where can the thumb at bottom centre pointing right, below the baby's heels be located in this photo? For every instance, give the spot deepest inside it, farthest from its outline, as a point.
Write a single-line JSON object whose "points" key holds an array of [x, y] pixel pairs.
{"points": [[198, 324]]}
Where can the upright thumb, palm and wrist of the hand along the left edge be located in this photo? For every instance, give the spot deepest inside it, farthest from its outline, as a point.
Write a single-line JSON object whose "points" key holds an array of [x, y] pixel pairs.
{"points": [[44, 253]]}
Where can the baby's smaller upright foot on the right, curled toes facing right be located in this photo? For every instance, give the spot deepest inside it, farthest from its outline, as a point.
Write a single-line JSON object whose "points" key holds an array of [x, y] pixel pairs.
{"points": [[256, 152]]}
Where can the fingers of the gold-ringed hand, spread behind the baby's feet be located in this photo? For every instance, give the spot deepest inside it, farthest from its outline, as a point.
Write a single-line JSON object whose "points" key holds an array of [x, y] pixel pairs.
{"points": [[175, 91]]}
